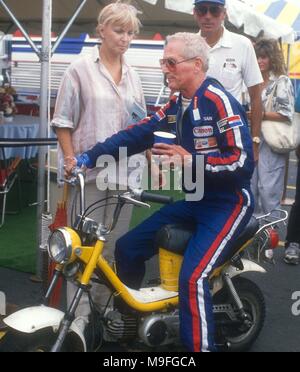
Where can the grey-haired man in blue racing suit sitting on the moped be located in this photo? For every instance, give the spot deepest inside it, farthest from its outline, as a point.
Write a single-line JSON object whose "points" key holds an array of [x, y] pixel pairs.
{"points": [[213, 126]]}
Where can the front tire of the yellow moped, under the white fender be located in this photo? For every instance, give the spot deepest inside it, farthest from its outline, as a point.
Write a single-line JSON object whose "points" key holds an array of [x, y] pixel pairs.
{"points": [[38, 342]]}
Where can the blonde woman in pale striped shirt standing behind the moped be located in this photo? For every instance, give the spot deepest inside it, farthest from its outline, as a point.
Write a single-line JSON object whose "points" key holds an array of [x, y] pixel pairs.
{"points": [[98, 96]]}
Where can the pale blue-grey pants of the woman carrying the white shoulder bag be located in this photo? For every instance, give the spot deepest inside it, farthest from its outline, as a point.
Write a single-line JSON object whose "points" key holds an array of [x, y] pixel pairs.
{"points": [[268, 180]]}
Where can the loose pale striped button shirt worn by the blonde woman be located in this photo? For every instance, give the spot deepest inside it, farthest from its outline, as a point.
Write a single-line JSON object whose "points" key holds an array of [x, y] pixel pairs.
{"points": [[92, 105]]}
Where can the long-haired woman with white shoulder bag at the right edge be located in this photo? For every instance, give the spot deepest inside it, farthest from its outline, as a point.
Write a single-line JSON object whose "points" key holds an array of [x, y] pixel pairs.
{"points": [[268, 179]]}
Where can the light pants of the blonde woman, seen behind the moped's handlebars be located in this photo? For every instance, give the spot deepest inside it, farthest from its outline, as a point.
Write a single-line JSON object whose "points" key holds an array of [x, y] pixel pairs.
{"points": [[99, 292]]}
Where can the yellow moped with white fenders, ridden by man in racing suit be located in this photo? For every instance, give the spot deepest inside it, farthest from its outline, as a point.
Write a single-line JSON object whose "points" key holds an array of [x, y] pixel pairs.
{"points": [[149, 316]]}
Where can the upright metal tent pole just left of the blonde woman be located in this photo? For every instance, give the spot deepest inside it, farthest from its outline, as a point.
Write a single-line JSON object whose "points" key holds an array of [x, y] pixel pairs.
{"points": [[43, 129]]}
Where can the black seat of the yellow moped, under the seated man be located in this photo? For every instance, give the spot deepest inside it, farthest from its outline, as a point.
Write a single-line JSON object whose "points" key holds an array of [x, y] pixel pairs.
{"points": [[175, 238]]}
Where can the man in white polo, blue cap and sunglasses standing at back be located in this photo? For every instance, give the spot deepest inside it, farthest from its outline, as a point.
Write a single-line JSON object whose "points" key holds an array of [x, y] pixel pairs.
{"points": [[232, 60]]}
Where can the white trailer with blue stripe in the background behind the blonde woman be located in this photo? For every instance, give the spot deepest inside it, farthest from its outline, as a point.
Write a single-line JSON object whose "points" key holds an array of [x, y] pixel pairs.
{"points": [[143, 55]]}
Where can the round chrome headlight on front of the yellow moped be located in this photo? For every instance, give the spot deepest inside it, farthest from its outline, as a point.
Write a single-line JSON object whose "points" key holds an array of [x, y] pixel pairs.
{"points": [[60, 246]]}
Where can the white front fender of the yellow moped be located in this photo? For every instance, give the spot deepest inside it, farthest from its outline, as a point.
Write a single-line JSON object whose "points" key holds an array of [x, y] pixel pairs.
{"points": [[33, 319]]}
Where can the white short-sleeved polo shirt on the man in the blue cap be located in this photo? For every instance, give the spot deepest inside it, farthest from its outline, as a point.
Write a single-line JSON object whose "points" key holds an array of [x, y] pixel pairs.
{"points": [[233, 62]]}
